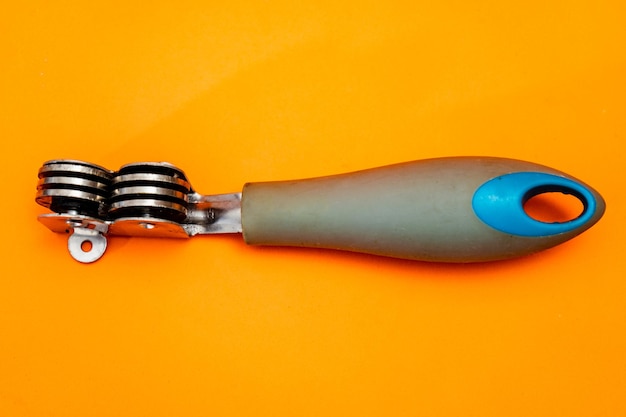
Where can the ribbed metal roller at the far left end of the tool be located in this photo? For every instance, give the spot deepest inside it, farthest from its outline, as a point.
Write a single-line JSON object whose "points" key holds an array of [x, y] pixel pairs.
{"points": [[69, 186]]}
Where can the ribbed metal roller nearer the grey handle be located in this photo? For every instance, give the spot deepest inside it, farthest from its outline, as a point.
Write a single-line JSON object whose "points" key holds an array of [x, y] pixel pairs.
{"points": [[157, 190]]}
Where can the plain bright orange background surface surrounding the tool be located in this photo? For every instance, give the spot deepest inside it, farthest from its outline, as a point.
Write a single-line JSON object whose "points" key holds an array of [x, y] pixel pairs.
{"points": [[249, 91]]}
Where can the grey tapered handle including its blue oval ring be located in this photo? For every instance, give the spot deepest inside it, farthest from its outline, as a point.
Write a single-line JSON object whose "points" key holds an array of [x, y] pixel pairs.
{"points": [[431, 210]]}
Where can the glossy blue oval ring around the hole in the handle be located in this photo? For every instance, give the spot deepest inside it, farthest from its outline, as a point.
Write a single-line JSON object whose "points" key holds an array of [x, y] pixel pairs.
{"points": [[499, 203]]}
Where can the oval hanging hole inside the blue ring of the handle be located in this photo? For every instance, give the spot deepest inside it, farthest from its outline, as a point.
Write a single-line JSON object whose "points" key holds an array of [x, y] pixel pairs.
{"points": [[554, 204]]}
